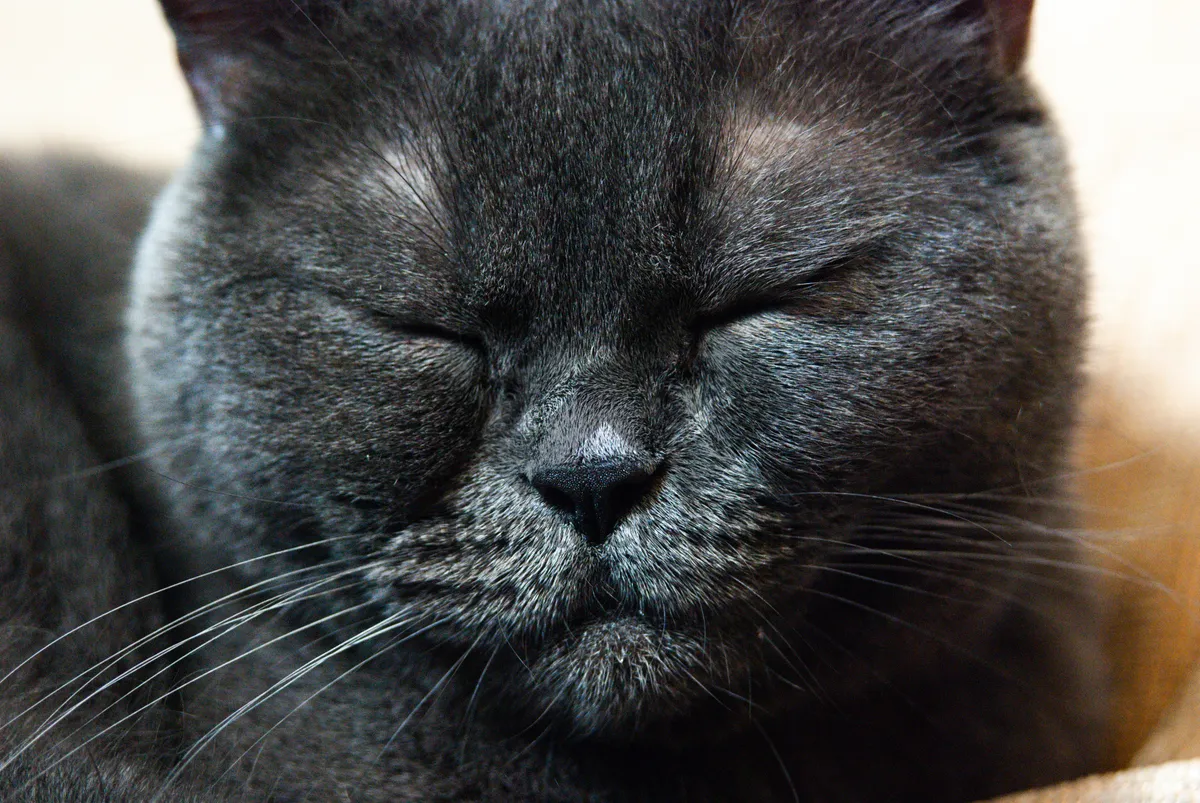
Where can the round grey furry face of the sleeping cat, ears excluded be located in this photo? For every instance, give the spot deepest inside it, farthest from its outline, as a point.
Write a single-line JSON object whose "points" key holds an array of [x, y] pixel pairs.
{"points": [[603, 346]]}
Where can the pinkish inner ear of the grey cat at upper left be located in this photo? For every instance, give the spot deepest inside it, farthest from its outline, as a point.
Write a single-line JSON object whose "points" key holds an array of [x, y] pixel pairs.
{"points": [[219, 41]]}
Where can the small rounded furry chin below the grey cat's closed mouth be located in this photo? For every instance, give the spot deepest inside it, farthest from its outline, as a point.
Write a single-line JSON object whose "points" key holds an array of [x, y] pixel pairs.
{"points": [[620, 675]]}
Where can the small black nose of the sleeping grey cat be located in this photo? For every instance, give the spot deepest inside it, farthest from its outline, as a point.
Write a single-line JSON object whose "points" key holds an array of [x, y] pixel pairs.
{"points": [[595, 496]]}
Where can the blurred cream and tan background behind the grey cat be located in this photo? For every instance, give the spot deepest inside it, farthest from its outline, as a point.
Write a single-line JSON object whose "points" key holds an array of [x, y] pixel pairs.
{"points": [[1124, 80]]}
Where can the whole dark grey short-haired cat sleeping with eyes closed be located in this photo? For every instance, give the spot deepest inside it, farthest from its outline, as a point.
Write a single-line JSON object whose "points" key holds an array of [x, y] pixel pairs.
{"points": [[554, 401]]}
